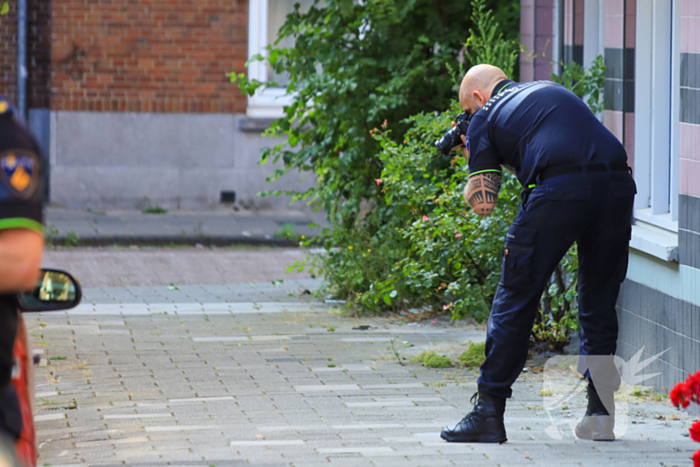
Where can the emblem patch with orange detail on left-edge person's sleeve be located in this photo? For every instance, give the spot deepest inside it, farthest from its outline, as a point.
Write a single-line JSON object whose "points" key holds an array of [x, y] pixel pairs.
{"points": [[20, 172]]}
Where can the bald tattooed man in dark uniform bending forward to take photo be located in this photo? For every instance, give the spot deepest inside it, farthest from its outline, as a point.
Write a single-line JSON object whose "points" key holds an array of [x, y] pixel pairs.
{"points": [[577, 189]]}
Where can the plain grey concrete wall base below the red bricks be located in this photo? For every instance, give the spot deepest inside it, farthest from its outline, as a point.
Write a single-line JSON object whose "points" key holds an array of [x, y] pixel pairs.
{"points": [[130, 160]]}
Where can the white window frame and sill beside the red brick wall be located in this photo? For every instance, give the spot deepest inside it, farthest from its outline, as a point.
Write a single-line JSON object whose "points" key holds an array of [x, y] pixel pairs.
{"points": [[266, 102]]}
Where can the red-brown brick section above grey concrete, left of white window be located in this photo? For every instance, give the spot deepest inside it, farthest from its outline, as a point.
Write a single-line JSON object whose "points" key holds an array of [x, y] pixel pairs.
{"points": [[148, 55]]}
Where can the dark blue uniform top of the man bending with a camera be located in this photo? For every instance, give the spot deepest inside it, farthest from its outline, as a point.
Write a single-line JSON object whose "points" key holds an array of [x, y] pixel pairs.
{"points": [[532, 126]]}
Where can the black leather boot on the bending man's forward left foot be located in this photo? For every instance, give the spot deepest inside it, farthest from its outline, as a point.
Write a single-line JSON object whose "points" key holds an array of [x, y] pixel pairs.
{"points": [[484, 424]]}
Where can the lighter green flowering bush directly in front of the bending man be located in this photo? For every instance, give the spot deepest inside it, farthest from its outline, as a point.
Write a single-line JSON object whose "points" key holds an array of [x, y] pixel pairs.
{"points": [[452, 256]]}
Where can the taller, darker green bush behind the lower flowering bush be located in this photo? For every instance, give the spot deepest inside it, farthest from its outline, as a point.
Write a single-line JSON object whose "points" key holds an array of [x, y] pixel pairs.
{"points": [[381, 60]]}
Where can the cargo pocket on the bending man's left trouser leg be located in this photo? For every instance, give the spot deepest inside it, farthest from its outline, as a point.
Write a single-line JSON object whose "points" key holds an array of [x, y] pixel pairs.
{"points": [[518, 257]]}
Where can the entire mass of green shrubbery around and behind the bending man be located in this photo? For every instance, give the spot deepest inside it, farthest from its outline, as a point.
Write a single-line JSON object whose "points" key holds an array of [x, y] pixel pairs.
{"points": [[401, 236]]}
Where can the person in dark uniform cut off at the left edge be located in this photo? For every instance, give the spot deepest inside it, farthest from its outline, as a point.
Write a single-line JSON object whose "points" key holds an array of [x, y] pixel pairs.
{"points": [[21, 245]]}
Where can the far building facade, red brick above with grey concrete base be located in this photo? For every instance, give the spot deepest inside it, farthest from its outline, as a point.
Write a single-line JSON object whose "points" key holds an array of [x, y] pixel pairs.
{"points": [[133, 105]]}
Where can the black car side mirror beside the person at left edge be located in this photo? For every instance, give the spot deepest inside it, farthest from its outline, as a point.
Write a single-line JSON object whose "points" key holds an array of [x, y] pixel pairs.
{"points": [[55, 290]]}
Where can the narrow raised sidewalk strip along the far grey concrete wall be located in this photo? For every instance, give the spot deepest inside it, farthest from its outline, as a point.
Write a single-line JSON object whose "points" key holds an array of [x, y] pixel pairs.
{"points": [[219, 227]]}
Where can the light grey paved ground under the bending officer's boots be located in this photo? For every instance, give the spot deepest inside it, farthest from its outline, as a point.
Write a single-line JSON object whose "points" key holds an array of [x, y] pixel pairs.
{"points": [[235, 375]]}
